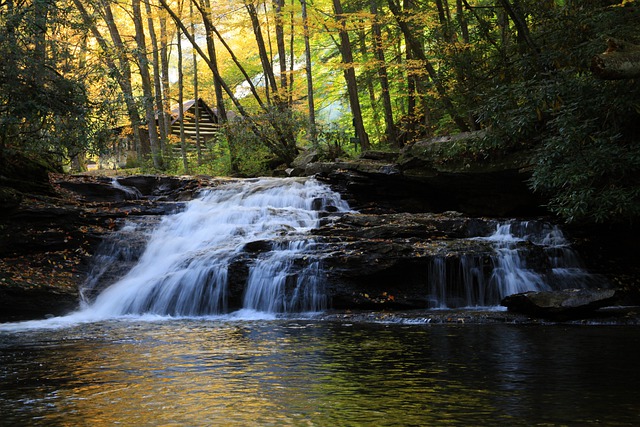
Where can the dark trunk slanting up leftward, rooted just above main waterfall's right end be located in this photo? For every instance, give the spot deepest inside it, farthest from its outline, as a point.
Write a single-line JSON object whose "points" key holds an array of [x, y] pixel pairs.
{"points": [[350, 77]]}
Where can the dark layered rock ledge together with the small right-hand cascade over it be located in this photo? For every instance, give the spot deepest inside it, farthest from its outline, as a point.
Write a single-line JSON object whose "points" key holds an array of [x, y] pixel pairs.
{"points": [[424, 260]]}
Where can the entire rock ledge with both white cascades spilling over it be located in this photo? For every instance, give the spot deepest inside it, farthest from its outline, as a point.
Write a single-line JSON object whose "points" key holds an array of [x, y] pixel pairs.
{"points": [[293, 245]]}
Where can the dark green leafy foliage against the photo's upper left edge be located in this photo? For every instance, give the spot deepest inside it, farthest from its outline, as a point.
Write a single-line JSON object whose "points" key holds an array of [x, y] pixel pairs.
{"points": [[43, 109]]}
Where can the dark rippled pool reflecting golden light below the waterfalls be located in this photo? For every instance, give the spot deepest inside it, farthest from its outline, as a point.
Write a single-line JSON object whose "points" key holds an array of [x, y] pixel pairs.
{"points": [[319, 373]]}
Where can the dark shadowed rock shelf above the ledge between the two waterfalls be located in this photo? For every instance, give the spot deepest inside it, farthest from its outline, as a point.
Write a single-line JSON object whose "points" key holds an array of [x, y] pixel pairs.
{"points": [[416, 180]]}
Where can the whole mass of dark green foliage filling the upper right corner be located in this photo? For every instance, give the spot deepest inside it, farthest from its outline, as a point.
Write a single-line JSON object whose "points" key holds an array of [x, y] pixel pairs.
{"points": [[585, 132]]}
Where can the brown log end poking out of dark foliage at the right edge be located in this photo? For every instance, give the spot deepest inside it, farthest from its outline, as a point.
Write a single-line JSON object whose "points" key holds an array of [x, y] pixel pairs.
{"points": [[621, 60]]}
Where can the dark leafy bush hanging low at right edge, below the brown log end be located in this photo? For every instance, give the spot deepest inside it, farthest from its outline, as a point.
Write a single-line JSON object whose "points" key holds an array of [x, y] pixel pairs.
{"points": [[589, 160]]}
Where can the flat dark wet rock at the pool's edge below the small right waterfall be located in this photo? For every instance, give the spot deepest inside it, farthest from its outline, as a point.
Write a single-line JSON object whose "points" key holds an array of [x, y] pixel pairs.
{"points": [[561, 305]]}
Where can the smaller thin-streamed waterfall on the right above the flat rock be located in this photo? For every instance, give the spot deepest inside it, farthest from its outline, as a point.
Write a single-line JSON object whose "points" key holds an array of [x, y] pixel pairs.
{"points": [[525, 256]]}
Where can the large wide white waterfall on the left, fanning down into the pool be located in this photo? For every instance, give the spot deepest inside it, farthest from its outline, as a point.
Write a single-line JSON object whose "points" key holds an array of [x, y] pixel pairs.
{"points": [[243, 241]]}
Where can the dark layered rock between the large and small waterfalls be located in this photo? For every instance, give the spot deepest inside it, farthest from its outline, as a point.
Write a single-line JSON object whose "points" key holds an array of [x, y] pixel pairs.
{"points": [[382, 261]]}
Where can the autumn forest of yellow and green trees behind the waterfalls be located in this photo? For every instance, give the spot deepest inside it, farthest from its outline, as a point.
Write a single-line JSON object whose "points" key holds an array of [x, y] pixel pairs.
{"points": [[82, 80]]}
